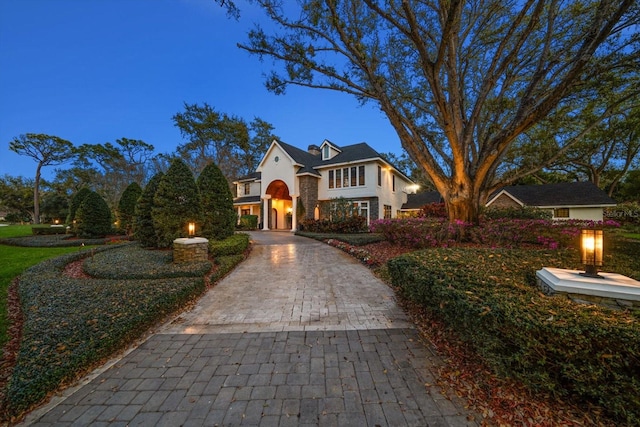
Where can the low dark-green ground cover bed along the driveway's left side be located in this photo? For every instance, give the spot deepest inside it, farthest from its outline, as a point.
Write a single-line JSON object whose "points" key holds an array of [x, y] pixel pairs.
{"points": [[72, 323]]}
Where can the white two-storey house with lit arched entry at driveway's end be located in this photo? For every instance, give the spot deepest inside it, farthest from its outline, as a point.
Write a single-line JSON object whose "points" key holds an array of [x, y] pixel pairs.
{"points": [[288, 179]]}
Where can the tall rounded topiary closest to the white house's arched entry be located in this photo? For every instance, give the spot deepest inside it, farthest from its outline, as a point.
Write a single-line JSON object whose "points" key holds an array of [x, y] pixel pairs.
{"points": [[217, 204]]}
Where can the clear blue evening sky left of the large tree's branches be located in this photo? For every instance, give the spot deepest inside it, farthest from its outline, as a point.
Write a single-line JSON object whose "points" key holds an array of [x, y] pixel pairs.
{"points": [[96, 71]]}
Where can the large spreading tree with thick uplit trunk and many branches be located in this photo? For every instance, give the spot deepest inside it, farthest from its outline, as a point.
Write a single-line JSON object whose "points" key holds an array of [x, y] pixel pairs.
{"points": [[460, 81]]}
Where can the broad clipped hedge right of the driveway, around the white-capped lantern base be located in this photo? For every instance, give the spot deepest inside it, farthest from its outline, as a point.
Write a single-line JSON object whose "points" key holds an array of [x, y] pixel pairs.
{"points": [[585, 354]]}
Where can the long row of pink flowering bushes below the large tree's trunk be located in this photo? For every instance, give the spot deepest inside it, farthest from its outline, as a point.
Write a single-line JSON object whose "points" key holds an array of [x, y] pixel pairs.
{"points": [[496, 233]]}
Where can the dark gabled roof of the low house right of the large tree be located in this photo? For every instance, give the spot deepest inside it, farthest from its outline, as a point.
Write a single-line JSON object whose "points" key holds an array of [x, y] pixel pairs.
{"points": [[564, 194]]}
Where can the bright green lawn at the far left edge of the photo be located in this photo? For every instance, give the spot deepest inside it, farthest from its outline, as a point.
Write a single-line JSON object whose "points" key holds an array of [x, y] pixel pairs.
{"points": [[13, 261]]}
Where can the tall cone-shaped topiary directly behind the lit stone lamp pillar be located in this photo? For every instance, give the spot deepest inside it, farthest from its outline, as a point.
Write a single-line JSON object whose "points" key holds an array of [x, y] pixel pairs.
{"points": [[176, 203]]}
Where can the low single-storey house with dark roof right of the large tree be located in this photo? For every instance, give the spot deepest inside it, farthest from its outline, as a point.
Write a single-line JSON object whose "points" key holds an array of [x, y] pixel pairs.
{"points": [[566, 200]]}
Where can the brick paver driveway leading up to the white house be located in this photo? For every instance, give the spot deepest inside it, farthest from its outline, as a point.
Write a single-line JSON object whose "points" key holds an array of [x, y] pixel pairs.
{"points": [[299, 334]]}
